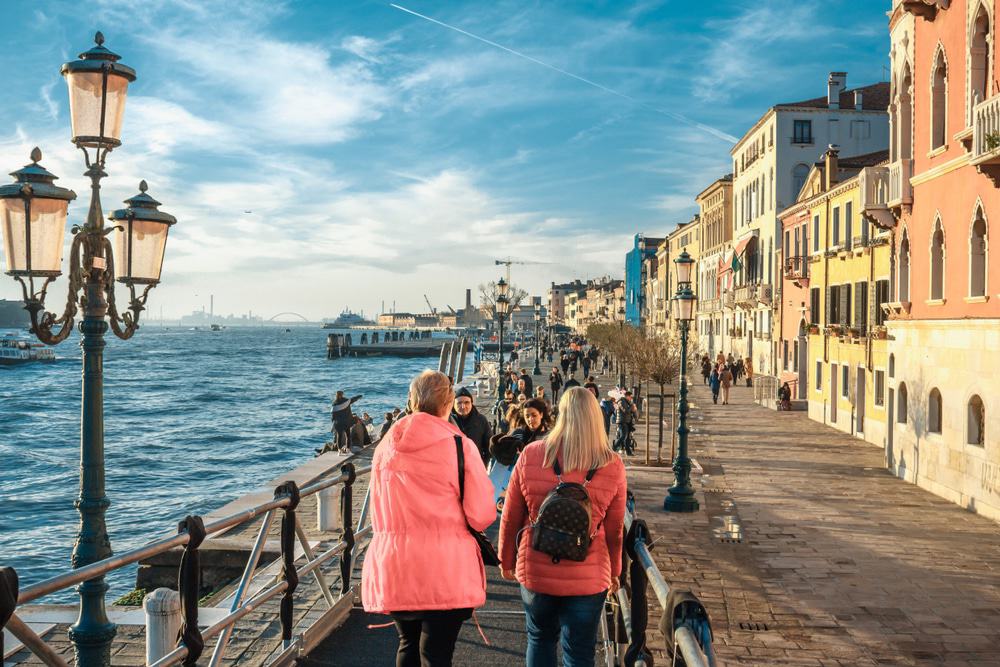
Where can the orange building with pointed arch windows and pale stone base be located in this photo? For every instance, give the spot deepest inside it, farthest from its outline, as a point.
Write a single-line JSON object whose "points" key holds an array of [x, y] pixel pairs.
{"points": [[944, 326]]}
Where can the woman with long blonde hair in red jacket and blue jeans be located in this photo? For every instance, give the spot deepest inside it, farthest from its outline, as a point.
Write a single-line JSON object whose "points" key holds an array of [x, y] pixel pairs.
{"points": [[564, 600]]}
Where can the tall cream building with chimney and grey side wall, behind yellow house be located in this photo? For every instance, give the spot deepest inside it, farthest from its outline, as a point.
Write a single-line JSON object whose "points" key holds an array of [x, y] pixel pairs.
{"points": [[770, 165]]}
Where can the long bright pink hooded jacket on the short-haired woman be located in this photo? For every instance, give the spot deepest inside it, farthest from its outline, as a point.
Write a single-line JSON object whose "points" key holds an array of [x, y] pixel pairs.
{"points": [[421, 555]]}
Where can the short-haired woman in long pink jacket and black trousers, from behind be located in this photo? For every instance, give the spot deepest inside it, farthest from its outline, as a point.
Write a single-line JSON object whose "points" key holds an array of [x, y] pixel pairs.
{"points": [[423, 567]]}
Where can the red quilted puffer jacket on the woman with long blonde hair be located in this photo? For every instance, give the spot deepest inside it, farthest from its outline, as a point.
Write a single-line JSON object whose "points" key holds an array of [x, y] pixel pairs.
{"points": [[529, 484]]}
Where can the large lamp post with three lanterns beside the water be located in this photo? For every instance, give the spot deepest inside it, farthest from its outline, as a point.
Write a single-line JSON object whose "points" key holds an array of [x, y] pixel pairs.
{"points": [[33, 220]]}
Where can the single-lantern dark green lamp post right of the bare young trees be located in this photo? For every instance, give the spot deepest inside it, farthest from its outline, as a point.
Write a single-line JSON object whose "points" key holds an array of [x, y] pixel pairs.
{"points": [[680, 496]]}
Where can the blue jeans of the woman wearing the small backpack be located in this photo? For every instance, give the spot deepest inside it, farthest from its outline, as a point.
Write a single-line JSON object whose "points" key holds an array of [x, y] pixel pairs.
{"points": [[573, 618]]}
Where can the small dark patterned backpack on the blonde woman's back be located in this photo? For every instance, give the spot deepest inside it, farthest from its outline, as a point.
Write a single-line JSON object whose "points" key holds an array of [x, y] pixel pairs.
{"points": [[562, 527]]}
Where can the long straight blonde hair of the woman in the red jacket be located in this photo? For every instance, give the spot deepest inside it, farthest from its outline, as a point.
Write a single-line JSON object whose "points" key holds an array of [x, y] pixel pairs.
{"points": [[578, 438]]}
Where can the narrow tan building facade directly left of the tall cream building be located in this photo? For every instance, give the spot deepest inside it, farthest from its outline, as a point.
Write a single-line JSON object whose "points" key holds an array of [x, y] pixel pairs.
{"points": [[716, 214]]}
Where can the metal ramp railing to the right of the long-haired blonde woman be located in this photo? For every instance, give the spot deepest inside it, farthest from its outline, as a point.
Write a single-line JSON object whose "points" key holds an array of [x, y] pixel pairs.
{"points": [[684, 623]]}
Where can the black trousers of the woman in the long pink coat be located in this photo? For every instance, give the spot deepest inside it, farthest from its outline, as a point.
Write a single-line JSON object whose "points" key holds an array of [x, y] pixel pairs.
{"points": [[427, 639]]}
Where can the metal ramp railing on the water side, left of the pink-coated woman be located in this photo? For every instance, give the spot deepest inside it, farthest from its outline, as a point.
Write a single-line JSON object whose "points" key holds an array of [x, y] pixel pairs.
{"points": [[191, 533]]}
